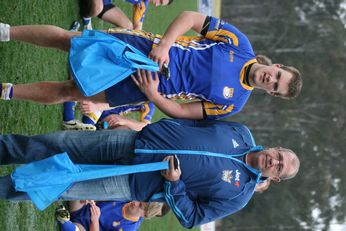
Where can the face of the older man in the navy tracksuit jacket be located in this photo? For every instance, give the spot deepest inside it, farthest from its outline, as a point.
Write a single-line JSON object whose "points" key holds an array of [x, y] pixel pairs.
{"points": [[274, 163]]}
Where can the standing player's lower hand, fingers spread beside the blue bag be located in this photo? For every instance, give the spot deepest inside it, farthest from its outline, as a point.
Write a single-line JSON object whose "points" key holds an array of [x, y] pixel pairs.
{"points": [[146, 83]]}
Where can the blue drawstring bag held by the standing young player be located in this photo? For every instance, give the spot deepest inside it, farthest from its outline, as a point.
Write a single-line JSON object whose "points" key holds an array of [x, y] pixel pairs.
{"points": [[99, 60]]}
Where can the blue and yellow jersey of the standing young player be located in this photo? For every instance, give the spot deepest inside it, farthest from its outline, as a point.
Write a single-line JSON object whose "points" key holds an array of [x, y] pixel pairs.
{"points": [[211, 68]]}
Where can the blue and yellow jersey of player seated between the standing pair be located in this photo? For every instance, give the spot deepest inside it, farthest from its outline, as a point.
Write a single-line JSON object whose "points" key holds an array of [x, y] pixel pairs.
{"points": [[146, 111]]}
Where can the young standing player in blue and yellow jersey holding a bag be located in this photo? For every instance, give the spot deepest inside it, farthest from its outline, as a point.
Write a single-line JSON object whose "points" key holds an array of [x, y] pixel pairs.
{"points": [[218, 69]]}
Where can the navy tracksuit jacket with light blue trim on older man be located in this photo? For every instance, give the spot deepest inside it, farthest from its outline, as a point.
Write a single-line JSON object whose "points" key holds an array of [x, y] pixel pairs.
{"points": [[214, 181]]}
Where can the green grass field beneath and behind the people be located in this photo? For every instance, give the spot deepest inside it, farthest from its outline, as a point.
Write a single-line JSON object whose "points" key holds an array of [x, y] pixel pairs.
{"points": [[22, 63]]}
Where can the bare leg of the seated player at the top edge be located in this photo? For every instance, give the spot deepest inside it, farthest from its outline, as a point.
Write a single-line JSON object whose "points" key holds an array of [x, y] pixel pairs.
{"points": [[116, 16]]}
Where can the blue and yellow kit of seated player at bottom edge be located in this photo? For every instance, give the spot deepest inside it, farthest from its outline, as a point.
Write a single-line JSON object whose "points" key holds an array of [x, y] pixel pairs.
{"points": [[112, 217]]}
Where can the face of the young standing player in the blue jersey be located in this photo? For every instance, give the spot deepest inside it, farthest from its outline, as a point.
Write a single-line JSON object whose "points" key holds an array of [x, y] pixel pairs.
{"points": [[272, 79]]}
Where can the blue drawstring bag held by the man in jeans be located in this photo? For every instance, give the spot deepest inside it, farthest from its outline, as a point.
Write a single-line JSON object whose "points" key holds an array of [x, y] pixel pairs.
{"points": [[46, 180]]}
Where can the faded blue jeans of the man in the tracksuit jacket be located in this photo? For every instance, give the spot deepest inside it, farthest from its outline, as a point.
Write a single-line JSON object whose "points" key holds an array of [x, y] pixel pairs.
{"points": [[100, 147]]}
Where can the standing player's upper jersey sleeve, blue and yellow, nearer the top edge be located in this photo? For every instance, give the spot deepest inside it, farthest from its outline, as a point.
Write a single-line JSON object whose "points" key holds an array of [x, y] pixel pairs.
{"points": [[217, 30]]}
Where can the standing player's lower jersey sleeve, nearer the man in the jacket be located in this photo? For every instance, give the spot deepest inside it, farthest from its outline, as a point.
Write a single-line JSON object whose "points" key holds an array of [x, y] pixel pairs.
{"points": [[217, 111]]}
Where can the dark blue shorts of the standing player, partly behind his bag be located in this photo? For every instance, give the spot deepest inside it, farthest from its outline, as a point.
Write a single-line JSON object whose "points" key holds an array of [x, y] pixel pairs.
{"points": [[126, 91]]}
